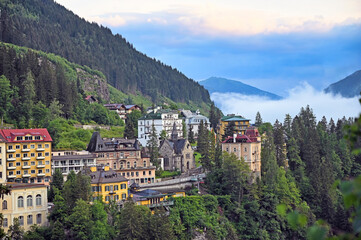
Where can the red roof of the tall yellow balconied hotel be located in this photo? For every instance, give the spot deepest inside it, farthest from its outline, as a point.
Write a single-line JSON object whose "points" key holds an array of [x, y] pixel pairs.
{"points": [[10, 134]]}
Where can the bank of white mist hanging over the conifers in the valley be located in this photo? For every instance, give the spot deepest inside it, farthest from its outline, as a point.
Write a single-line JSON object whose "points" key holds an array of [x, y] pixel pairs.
{"points": [[322, 104]]}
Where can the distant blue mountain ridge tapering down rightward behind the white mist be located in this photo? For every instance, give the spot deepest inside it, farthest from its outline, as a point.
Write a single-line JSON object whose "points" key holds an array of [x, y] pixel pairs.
{"points": [[224, 85]]}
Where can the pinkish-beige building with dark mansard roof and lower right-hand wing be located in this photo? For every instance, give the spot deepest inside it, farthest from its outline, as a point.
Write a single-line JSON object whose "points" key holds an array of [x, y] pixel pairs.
{"points": [[123, 156]]}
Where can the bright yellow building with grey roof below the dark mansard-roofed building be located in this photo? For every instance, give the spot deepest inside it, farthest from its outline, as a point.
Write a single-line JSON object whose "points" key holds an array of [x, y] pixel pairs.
{"points": [[108, 184]]}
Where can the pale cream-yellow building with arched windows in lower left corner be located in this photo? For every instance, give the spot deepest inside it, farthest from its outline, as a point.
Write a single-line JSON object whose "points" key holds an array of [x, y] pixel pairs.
{"points": [[28, 203]]}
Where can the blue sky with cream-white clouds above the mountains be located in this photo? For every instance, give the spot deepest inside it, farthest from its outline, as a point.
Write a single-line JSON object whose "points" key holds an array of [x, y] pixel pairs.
{"points": [[279, 46]]}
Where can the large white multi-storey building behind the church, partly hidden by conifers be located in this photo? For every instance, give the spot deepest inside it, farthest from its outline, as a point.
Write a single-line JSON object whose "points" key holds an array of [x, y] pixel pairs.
{"points": [[162, 120]]}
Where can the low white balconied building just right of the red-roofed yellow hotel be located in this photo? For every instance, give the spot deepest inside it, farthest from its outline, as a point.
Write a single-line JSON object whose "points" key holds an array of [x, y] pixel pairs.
{"points": [[67, 161]]}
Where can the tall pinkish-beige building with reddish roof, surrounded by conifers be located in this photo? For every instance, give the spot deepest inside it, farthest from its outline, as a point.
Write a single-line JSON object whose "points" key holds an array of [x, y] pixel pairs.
{"points": [[248, 147]]}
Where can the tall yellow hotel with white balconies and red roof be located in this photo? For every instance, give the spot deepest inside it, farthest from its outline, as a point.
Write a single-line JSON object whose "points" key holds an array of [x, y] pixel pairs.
{"points": [[28, 155]]}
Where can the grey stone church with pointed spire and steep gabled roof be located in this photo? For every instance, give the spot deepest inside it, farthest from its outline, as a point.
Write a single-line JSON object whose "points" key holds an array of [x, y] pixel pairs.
{"points": [[177, 154]]}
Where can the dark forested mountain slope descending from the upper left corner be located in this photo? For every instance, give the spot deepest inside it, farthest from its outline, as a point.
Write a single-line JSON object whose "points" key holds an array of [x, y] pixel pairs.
{"points": [[47, 26]]}
